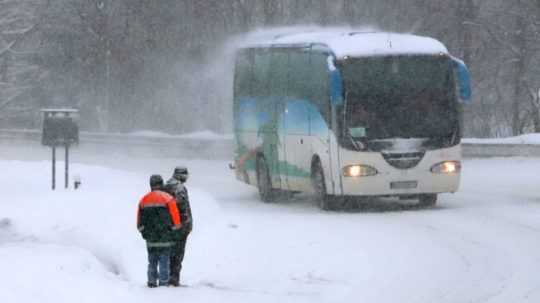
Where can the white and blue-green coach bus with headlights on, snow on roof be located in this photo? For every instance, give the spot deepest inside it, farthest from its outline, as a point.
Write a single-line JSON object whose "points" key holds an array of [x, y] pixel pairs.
{"points": [[349, 114]]}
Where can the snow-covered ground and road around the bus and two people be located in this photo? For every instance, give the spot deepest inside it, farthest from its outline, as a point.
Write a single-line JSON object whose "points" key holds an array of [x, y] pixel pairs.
{"points": [[479, 245]]}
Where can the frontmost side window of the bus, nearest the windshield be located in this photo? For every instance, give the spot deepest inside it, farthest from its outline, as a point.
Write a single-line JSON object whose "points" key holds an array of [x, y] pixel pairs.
{"points": [[320, 94]]}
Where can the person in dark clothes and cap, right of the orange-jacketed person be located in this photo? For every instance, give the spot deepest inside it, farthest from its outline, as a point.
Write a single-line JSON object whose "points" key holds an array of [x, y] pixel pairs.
{"points": [[176, 187]]}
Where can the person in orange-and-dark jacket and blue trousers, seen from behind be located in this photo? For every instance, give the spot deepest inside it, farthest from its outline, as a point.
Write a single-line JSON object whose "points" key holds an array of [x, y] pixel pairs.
{"points": [[158, 220]]}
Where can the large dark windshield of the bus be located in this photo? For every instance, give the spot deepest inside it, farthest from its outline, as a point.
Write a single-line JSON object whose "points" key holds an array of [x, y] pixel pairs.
{"points": [[400, 97]]}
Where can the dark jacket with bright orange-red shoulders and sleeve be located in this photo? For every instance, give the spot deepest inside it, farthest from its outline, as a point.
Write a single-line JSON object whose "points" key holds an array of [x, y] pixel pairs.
{"points": [[158, 219]]}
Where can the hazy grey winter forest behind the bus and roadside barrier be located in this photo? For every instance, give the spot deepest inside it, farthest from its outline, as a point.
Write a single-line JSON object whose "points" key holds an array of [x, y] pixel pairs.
{"points": [[159, 65]]}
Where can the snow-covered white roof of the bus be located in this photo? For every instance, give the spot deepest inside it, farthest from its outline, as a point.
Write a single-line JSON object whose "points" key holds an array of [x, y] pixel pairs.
{"points": [[355, 43]]}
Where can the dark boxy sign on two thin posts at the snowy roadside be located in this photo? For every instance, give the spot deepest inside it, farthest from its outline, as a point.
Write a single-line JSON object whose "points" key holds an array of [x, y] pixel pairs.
{"points": [[60, 129]]}
